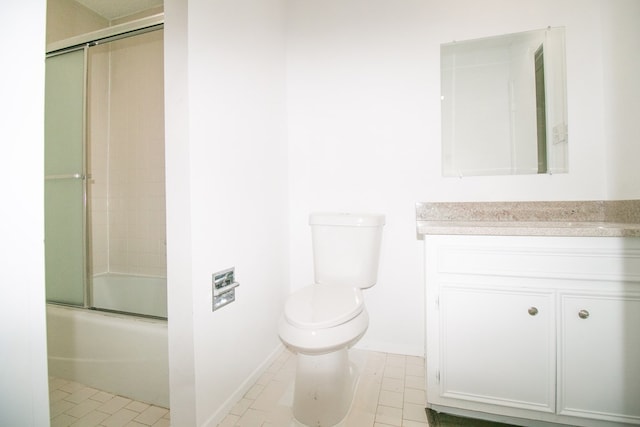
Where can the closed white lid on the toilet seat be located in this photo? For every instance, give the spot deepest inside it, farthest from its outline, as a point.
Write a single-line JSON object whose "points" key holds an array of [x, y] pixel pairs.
{"points": [[323, 306]]}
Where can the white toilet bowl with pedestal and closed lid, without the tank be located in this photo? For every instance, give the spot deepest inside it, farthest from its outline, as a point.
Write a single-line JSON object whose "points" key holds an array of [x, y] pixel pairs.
{"points": [[321, 334]]}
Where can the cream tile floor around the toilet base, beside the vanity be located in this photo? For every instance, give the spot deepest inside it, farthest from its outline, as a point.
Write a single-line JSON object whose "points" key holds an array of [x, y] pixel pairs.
{"points": [[391, 392]]}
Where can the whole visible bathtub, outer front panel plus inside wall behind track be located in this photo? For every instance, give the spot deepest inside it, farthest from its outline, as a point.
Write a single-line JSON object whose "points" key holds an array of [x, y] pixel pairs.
{"points": [[112, 351]]}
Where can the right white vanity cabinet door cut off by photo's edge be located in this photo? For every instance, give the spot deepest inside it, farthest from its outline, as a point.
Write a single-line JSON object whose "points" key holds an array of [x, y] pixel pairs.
{"points": [[599, 371]]}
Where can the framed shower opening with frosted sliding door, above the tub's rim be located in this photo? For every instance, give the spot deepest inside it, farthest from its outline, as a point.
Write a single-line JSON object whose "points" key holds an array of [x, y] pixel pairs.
{"points": [[105, 244]]}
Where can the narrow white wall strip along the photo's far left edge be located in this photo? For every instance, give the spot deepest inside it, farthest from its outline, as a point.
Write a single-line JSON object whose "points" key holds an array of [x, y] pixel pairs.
{"points": [[24, 395]]}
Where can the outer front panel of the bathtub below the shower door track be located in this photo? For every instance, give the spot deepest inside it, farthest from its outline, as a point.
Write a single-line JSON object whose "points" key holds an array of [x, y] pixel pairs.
{"points": [[121, 354]]}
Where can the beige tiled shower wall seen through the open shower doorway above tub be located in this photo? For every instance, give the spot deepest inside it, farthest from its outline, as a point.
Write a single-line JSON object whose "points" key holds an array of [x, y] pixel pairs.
{"points": [[126, 156]]}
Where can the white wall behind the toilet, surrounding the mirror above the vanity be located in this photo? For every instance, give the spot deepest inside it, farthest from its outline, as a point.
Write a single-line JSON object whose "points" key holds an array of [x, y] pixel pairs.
{"points": [[363, 102]]}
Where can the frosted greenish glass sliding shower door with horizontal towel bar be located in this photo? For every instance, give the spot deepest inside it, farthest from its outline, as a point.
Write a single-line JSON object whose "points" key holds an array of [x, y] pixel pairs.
{"points": [[65, 178]]}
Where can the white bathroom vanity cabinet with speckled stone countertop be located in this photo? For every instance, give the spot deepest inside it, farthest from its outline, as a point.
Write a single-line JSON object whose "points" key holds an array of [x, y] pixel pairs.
{"points": [[533, 311]]}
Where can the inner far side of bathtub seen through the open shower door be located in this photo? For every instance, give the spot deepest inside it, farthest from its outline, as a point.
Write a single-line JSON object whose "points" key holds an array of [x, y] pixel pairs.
{"points": [[131, 294]]}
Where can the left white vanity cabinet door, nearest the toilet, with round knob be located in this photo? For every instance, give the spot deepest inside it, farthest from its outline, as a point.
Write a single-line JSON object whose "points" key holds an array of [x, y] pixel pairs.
{"points": [[498, 347]]}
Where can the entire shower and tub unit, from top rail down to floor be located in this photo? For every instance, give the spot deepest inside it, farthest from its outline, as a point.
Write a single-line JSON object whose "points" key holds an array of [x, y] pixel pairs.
{"points": [[105, 211]]}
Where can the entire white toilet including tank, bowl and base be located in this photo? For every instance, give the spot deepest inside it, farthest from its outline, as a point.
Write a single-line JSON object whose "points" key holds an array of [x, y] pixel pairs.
{"points": [[323, 320]]}
